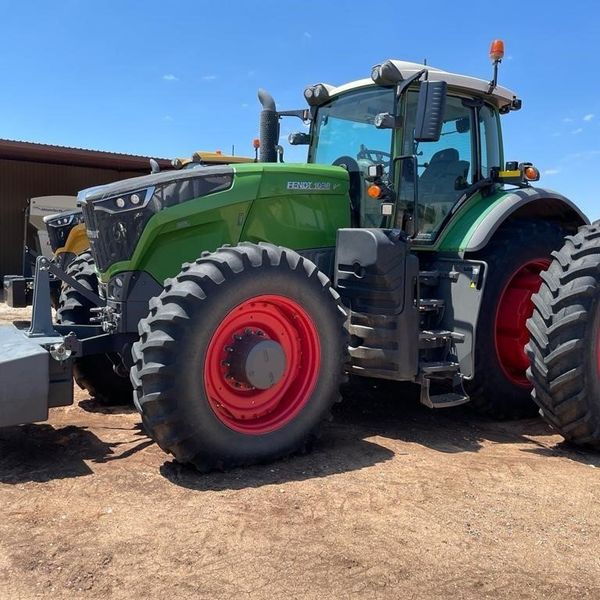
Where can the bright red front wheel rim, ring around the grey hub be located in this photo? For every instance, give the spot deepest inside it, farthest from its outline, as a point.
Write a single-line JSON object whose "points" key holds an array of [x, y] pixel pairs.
{"points": [[259, 411]]}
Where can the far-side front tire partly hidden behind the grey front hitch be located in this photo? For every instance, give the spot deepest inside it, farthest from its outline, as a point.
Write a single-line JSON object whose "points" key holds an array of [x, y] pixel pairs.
{"points": [[95, 373]]}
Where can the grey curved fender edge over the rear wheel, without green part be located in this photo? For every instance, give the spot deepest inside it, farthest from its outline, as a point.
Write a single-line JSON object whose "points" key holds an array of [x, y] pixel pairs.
{"points": [[528, 203]]}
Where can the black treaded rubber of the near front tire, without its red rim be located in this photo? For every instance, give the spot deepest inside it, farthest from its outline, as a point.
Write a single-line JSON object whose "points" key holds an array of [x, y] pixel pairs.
{"points": [[170, 358]]}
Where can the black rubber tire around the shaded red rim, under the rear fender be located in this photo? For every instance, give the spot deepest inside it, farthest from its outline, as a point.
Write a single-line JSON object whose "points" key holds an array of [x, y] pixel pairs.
{"points": [[494, 391]]}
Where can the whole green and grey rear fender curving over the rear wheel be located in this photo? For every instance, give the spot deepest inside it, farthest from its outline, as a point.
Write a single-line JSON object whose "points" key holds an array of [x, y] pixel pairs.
{"points": [[474, 224]]}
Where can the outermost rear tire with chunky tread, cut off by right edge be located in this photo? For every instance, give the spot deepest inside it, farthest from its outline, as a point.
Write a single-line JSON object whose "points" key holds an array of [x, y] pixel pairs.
{"points": [[564, 347]]}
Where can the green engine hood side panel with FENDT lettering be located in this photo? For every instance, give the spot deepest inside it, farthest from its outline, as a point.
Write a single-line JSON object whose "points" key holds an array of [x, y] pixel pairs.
{"points": [[299, 206]]}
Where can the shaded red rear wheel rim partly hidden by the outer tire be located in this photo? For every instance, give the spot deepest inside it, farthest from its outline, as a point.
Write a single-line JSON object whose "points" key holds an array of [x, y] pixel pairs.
{"points": [[514, 308]]}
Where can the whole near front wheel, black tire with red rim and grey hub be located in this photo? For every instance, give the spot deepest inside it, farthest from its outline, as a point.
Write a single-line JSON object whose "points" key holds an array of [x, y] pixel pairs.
{"points": [[193, 386]]}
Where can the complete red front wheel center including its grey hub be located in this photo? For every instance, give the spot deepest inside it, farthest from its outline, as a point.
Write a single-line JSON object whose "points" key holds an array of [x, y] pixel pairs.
{"points": [[262, 364]]}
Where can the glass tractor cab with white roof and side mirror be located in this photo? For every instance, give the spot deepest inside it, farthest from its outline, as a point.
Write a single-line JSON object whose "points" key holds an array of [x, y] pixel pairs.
{"points": [[435, 136]]}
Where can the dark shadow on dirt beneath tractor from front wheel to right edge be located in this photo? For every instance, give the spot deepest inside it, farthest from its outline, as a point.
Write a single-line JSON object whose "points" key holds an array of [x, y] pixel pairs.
{"points": [[392, 413]]}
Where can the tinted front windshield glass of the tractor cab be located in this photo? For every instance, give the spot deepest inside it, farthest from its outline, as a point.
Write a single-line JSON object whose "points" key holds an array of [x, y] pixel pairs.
{"points": [[344, 127]]}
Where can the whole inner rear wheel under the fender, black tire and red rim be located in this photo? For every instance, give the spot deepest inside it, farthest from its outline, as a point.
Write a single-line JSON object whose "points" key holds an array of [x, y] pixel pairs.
{"points": [[516, 256]]}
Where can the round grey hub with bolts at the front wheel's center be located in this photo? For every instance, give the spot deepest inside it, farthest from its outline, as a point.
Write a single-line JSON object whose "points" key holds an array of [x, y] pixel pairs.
{"points": [[255, 361]]}
